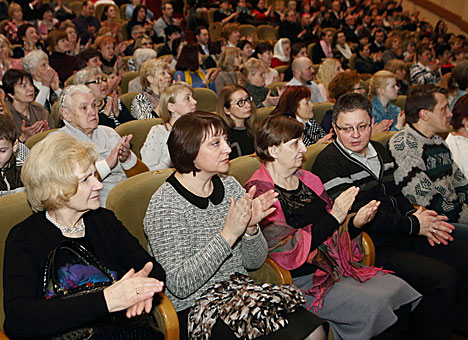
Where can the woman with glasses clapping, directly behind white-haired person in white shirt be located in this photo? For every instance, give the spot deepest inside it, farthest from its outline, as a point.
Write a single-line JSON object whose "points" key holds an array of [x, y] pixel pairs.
{"points": [[111, 111]]}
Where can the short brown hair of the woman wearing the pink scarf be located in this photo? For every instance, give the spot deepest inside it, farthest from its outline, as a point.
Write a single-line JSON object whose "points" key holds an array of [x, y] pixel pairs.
{"points": [[273, 131]]}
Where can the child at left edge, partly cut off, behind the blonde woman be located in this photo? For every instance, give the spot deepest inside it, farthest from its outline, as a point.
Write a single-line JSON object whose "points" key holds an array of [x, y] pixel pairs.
{"points": [[10, 174]]}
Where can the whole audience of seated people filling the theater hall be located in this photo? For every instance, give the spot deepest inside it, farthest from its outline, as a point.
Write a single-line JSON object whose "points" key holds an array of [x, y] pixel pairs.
{"points": [[64, 70]]}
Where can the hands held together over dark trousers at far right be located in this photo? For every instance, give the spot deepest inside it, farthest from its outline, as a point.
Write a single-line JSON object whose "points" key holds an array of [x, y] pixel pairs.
{"points": [[434, 227]]}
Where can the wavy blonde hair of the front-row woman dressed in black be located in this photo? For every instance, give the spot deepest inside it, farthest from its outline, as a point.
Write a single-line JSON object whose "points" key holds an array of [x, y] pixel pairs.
{"points": [[48, 173]]}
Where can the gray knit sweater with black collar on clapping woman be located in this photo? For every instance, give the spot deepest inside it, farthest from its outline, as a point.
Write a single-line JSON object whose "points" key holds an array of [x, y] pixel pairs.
{"points": [[186, 240]]}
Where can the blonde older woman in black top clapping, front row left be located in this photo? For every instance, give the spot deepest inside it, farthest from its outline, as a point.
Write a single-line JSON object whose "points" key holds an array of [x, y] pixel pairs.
{"points": [[63, 191]]}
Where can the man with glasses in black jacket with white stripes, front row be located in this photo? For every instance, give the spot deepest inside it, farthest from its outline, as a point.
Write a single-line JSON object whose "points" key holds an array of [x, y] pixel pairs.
{"points": [[415, 244]]}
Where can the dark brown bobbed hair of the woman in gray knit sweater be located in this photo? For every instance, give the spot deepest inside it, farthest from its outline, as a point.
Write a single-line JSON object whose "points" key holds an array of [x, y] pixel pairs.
{"points": [[187, 135]]}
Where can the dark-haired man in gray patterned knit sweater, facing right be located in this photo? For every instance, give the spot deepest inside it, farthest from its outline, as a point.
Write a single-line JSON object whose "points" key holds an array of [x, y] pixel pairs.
{"points": [[425, 170]]}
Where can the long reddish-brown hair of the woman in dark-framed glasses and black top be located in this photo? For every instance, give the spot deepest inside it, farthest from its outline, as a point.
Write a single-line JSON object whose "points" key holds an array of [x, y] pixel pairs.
{"points": [[224, 102]]}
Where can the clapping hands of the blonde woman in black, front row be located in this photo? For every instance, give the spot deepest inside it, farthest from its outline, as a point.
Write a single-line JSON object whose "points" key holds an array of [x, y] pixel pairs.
{"points": [[130, 290]]}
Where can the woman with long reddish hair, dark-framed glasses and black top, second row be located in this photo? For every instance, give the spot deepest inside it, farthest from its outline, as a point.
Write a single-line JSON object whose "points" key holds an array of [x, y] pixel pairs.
{"points": [[236, 109]]}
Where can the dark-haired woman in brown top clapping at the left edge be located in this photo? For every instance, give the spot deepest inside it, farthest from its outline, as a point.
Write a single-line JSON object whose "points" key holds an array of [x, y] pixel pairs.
{"points": [[29, 118]]}
